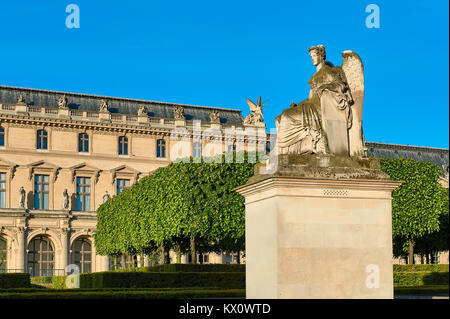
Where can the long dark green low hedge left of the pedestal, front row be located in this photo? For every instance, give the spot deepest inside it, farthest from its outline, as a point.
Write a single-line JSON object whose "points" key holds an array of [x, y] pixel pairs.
{"points": [[223, 280]]}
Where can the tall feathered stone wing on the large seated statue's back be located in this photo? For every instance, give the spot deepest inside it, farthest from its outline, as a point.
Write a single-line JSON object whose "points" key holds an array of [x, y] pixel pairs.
{"points": [[354, 72]]}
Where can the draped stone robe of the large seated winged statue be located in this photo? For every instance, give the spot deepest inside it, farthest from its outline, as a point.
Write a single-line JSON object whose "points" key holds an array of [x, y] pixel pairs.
{"points": [[320, 123]]}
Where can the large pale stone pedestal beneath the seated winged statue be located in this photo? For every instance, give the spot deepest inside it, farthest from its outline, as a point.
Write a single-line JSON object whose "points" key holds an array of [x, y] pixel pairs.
{"points": [[319, 228]]}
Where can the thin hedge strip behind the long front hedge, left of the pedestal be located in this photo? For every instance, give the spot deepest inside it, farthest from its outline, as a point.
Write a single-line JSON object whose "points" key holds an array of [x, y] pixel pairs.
{"points": [[188, 268]]}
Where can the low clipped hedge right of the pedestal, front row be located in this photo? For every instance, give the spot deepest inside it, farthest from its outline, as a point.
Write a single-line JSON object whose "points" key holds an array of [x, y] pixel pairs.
{"points": [[420, 278]]}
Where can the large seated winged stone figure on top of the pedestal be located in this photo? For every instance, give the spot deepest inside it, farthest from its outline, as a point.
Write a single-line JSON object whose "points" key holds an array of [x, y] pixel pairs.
{"points": [[329, 120]]}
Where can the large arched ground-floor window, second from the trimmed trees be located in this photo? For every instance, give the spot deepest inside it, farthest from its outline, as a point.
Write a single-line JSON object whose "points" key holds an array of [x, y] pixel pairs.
{"points": [[41, 257]]}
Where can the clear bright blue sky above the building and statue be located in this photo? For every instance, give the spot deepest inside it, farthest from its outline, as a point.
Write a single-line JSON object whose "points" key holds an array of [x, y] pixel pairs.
{"points": [[219, 53]]}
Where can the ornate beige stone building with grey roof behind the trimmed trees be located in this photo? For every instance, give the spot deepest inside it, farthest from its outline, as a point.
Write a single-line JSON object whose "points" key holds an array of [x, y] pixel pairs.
{"points": [[63, 154]]}
